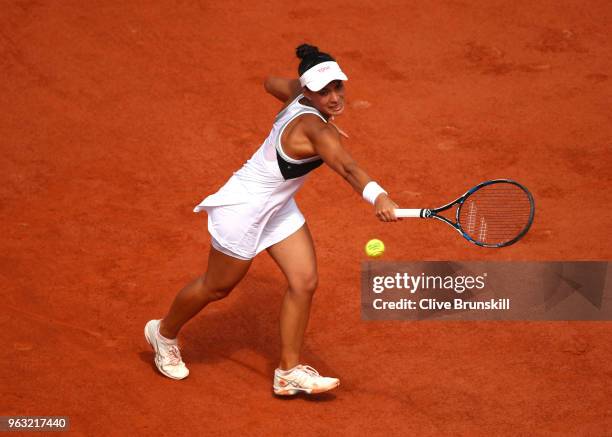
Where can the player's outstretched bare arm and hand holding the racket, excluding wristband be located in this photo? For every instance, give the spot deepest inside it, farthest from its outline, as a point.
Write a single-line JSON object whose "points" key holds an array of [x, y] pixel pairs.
{"points": [[327, 144]]}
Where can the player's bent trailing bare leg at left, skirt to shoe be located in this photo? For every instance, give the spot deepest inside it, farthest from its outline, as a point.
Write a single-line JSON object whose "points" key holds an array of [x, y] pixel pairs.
{"points": [[222, 275]]}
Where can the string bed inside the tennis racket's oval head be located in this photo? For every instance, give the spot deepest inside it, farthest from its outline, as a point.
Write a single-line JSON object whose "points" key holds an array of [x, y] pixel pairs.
{"points": [[496, 213]]}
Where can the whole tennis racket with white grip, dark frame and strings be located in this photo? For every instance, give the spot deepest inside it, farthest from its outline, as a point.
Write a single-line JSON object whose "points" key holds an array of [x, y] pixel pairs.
{"points": [[495, 213]]}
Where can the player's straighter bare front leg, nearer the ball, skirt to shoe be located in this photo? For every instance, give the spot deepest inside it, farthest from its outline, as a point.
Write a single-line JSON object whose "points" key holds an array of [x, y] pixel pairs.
{"points": [[296, 258]]}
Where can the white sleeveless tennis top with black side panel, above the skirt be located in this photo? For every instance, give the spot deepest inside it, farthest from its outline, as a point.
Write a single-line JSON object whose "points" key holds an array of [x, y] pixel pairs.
{"points": [[261, 178]]}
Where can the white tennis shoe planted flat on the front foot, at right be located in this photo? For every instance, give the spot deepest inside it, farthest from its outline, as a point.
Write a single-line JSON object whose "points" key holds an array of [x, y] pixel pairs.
{"points": [[302, 379]]}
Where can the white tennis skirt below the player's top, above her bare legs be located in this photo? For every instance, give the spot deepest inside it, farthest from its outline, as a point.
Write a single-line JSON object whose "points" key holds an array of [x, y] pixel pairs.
{"points": [[242, 230]]}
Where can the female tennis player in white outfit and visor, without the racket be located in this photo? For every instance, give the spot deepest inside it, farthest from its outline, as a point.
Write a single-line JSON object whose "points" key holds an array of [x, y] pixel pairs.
{"points": [[255, 211]]}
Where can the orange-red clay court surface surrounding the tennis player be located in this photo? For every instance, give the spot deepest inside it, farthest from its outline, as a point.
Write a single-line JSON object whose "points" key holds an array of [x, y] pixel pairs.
{"points": [[118, 118]]}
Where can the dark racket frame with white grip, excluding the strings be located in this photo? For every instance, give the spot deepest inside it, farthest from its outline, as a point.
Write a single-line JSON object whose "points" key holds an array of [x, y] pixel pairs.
{"points": [[433, 213]]}
